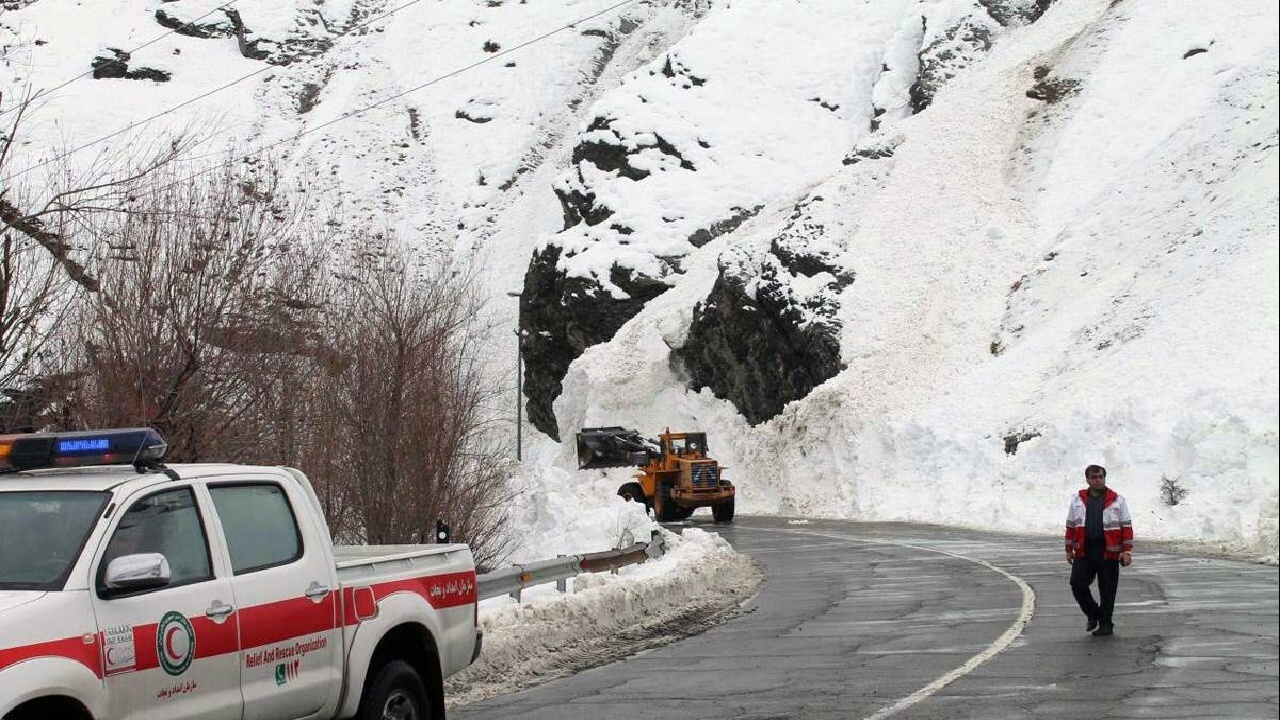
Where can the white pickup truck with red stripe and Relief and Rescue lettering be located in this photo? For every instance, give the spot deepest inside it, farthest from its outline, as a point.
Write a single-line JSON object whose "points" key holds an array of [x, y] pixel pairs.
{"points": [[209, 593]]}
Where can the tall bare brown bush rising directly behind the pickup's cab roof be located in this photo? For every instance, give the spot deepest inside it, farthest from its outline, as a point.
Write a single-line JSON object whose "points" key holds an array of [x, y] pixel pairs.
{"points": [[194, 318]]}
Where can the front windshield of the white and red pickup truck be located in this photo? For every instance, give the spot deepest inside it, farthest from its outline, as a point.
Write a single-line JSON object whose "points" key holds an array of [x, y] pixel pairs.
{"points": [[42, 535]]}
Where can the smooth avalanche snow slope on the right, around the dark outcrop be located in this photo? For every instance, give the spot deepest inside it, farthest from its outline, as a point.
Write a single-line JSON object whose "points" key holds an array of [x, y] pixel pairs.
{"points": [[1039, 285]]}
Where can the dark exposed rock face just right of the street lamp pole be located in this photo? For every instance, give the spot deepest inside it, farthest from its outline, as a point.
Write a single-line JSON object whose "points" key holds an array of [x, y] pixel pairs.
{"points": [[561, 317]]}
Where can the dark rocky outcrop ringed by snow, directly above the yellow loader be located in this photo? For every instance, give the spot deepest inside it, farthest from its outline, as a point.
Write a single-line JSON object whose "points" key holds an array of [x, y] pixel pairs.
{"points": [[757, 340]]}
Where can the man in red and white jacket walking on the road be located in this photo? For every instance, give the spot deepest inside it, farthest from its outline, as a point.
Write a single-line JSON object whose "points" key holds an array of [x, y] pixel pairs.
{"points": [[1099, 541]]}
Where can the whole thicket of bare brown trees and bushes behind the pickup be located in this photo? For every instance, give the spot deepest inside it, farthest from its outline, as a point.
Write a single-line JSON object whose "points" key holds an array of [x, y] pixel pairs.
{"points": [[208, 308]]}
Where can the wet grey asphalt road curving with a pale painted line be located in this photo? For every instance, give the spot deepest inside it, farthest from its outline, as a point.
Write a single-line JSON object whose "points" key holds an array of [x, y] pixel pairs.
{"points": [[908, 622]]}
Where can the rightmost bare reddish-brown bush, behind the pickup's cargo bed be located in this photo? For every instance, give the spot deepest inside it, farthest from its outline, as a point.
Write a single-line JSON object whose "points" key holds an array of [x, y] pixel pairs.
{"points": [[409, 439]]}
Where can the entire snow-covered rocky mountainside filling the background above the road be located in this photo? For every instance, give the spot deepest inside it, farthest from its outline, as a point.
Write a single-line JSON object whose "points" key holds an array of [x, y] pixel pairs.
{"points": [[908, 259]]}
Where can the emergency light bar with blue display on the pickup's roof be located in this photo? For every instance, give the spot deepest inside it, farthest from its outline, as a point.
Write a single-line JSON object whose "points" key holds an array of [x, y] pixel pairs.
{"points": [[129, 446]]}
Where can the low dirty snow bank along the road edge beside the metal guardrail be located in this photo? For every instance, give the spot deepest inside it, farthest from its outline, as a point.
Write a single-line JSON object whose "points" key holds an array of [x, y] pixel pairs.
{"points": [[698, 584]]}
